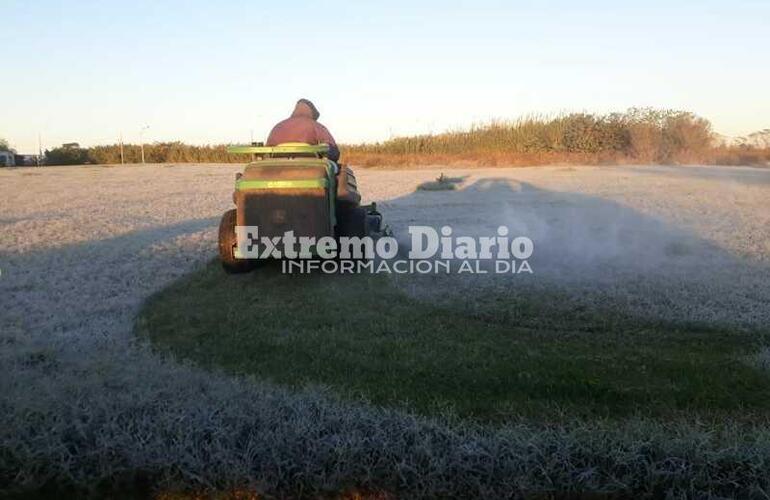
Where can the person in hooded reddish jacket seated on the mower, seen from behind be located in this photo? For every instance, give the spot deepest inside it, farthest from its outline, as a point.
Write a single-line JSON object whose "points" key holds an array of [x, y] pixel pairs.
{"points": [[302, 126]]}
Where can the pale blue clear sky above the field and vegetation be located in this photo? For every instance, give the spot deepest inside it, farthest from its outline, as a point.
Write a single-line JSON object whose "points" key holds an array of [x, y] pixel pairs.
{"points": [[212, 72]]}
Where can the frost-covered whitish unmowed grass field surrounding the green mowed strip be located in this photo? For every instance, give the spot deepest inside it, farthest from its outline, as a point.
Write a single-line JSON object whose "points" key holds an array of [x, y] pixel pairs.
{"points": [[84, 402]]}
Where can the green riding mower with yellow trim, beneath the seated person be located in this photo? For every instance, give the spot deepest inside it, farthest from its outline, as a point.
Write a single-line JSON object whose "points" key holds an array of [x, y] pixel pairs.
{"points": [[293, 187]]}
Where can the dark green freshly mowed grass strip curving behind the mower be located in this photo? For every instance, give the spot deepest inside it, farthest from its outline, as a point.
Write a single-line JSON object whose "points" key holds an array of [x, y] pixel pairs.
{"points": [[521, 358]]}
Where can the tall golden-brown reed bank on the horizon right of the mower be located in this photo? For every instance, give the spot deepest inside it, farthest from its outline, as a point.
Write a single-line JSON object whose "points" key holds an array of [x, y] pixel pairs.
{"points": [[640, 135]]}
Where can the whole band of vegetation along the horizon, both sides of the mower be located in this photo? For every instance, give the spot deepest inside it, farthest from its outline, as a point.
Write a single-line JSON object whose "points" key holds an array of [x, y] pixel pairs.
{"points": [[640, 136]]}
